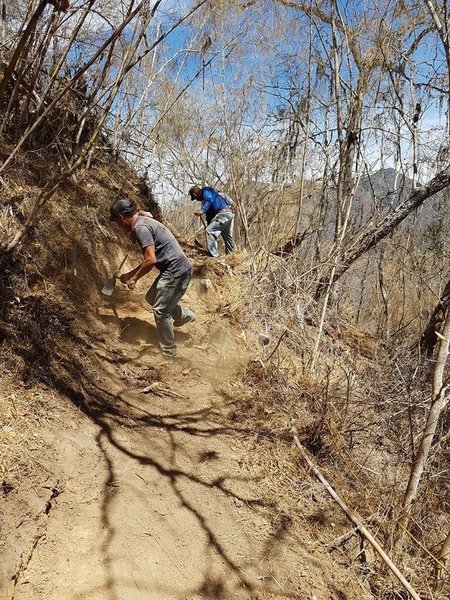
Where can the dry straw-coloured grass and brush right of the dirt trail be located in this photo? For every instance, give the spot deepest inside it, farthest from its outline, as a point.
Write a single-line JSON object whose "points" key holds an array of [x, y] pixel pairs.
{"points": [[355, 414]]}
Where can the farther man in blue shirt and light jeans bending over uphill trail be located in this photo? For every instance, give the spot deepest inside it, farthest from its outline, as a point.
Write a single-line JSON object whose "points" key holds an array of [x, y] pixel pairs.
{"points": [[219, 215]]}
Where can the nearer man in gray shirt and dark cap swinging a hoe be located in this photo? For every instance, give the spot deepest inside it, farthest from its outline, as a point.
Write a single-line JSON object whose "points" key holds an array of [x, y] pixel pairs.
{"points": [[161, 250]]}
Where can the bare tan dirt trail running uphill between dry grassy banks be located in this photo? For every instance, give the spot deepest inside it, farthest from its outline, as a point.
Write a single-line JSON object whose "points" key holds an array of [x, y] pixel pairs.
{"points": [[153, 501]]}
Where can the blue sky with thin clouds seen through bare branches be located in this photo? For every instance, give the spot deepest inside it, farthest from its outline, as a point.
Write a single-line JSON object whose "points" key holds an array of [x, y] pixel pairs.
{"points": [[268, 56]]}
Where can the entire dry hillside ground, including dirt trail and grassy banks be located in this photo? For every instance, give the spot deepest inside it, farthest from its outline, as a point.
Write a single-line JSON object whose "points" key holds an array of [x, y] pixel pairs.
{"points": [[125, 477]]}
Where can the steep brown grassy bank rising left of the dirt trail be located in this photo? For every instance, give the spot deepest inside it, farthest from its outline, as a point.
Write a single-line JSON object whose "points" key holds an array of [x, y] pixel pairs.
{"points": [[53, 279]]}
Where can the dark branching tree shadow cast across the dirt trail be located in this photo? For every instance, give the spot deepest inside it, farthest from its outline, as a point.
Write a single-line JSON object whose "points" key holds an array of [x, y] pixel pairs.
{"points": [[111, 413]]}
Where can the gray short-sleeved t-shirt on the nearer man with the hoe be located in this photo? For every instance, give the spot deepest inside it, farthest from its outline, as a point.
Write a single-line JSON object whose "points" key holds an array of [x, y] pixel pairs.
{"points": [[170, 258]]}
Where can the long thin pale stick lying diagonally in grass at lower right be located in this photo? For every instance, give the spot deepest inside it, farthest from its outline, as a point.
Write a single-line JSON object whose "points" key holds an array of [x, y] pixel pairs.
{"points": [[353, 516]]}
